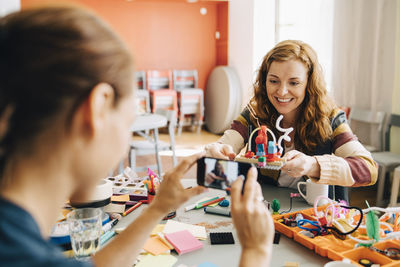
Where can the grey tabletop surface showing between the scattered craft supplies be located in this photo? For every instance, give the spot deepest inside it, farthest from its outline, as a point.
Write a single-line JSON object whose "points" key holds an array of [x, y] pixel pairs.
{"points": [[229, 255]]}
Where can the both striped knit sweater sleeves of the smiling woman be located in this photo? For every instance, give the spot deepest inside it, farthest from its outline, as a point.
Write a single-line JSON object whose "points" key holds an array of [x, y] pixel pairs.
{"points": [[349, 163]]}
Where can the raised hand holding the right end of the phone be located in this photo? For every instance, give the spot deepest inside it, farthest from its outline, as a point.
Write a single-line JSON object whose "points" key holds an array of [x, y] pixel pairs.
{"points": [[252, 221]]}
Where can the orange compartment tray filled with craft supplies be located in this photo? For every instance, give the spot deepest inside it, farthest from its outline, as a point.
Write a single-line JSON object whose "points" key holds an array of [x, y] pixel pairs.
{"points": [[333, 247]]}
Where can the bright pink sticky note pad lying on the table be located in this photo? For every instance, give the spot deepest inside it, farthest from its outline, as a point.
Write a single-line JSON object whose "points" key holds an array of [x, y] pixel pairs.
{"points": [[183, 241]]}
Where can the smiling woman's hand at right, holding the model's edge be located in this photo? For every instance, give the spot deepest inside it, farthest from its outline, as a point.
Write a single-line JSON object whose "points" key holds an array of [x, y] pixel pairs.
{"points": [[299, 164]]}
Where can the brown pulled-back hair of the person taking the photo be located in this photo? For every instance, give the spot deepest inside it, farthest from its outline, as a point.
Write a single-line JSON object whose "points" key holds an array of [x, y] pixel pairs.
{"points": [[51, 58]]}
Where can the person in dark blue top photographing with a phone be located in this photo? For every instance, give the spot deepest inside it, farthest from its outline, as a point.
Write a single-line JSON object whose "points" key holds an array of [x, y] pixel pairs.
{"points": [[66, 98]]}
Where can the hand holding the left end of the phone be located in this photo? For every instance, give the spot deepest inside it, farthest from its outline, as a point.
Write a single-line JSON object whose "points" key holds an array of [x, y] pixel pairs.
{"points": [[171, 193]]}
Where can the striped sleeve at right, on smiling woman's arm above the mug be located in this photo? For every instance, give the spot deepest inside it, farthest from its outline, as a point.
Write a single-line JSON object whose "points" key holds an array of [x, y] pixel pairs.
{"points": [[351, 164]]}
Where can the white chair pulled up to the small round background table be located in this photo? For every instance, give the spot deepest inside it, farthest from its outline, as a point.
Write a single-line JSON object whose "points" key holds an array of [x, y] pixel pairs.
{"points": [[149, 147]]}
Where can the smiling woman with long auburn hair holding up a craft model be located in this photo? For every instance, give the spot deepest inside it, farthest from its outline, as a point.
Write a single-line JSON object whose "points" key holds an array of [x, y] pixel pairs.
{"points": [[290, 82]]}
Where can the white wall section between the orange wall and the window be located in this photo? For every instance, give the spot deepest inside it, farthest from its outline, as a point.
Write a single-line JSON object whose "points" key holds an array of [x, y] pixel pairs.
{"points": [[251, 36]]}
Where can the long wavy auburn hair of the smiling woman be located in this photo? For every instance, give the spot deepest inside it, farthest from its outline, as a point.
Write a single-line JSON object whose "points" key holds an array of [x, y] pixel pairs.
{"points": [[312, 127]]}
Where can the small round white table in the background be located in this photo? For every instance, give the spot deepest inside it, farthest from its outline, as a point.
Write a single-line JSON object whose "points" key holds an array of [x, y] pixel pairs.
{"points": [[142, 124]]}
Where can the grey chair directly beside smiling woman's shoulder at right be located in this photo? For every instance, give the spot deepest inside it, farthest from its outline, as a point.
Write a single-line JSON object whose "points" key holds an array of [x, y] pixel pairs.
{"points": [[374, 118]]}
